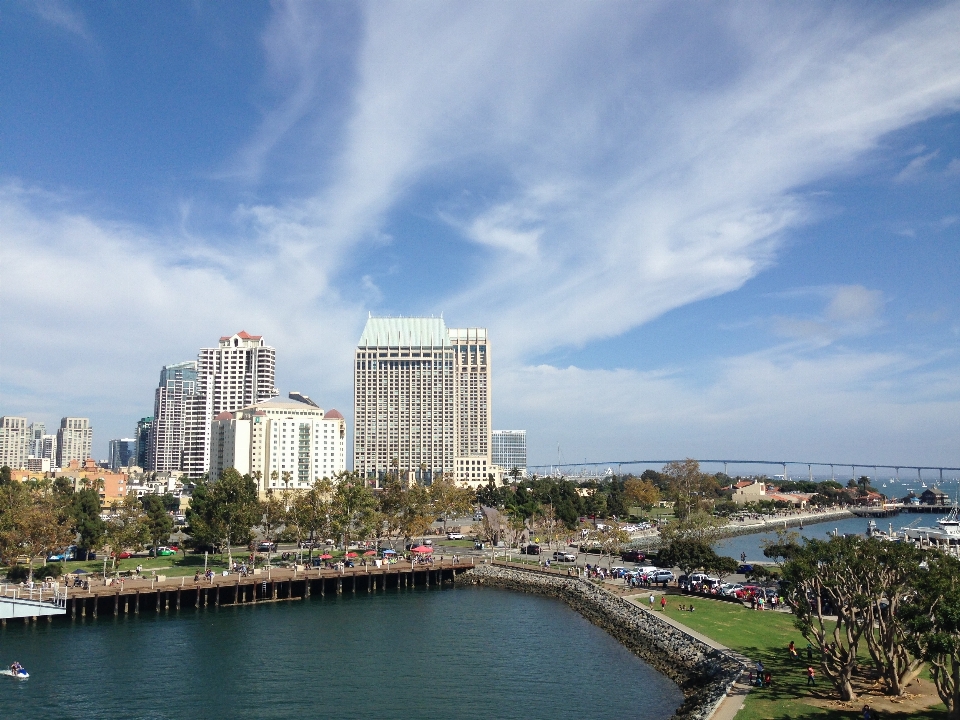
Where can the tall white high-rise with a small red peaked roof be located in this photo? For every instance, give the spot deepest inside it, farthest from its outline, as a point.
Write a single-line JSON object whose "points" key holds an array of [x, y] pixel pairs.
{"points": [[236, 374]]}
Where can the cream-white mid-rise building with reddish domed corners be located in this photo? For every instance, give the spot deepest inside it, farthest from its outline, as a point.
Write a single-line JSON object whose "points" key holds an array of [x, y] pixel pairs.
{"points": [[284, 443]]}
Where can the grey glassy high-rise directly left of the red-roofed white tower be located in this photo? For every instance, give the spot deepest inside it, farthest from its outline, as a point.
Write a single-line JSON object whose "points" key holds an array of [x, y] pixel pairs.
{"points": [[173, 411]]}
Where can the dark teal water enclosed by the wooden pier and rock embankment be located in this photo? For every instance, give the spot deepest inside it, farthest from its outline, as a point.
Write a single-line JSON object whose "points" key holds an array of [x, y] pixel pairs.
{"points": [[448, 654]]}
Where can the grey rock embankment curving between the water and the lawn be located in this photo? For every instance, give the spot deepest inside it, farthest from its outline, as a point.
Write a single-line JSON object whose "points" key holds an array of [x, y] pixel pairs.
{"points": [[703, 674]]}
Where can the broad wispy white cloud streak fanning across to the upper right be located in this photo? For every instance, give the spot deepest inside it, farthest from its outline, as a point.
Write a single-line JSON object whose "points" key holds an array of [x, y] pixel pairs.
{"points": [[679, 196]]}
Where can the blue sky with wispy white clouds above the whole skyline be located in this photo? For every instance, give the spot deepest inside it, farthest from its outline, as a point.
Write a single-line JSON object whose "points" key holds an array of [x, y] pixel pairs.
{"points": [[692, 230]]}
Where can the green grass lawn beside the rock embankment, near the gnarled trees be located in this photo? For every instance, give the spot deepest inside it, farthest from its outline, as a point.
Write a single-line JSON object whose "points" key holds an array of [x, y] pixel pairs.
{"points": [[764, 636]]}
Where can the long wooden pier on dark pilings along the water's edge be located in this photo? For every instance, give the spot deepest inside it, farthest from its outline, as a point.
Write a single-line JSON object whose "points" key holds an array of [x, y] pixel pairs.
{"points": [[136, 595]]}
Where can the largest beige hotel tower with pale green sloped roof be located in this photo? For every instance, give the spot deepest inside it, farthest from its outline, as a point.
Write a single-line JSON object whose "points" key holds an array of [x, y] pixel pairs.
{"points": [[422, 400]]}
